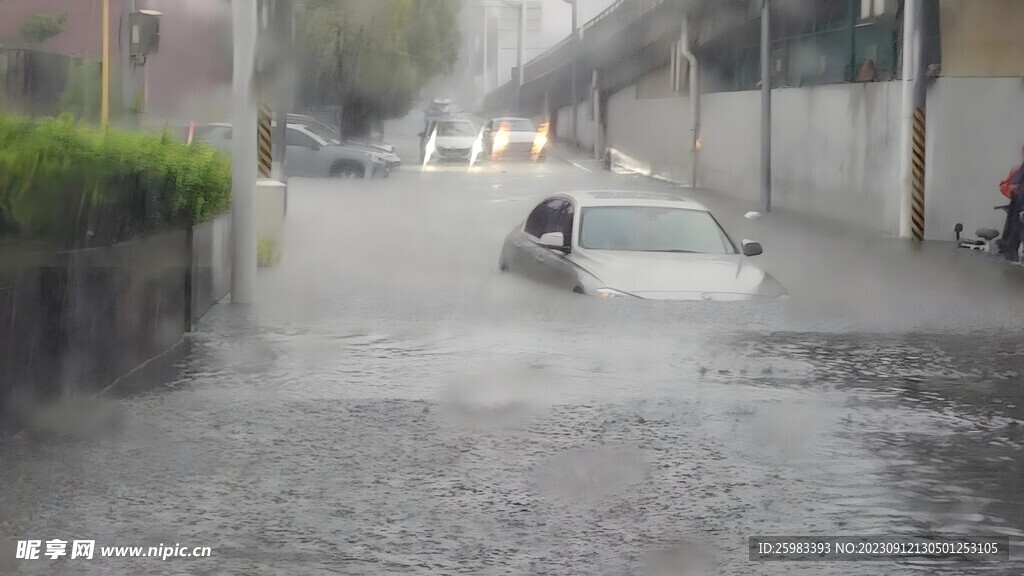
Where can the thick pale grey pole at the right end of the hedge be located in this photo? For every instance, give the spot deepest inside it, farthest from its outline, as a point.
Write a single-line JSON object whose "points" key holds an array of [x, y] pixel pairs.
{"points": [[244, 119]]}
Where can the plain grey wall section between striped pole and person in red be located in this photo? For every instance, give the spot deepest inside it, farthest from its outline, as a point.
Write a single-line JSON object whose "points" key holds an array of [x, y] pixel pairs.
{"points": [[975, 135]]}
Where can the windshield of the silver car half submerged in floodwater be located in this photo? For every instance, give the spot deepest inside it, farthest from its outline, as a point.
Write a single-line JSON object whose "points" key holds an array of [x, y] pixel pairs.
{"points": [[653, 229]]}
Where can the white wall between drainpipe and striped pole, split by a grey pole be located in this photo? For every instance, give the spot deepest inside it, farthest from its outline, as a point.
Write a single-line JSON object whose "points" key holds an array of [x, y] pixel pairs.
{"points": [[835, 150]]}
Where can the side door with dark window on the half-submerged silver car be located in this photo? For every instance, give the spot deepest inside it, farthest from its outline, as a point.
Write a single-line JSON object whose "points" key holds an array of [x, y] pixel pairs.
{"points": [[539, 262]]}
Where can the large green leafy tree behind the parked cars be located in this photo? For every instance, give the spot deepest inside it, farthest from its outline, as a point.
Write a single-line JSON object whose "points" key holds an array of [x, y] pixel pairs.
{"points": [[372, 59]]}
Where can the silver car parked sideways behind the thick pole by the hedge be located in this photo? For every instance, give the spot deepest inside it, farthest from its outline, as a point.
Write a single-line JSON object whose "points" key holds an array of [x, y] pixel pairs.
{"points": [[309, 154]]}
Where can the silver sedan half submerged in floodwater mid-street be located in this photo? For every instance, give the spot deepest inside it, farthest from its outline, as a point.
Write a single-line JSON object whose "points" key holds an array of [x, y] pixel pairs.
{"points": [[635, 244]]}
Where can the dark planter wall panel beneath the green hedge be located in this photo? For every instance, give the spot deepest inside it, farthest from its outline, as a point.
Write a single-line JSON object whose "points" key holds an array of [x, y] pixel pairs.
{"points": [[78, 320]]}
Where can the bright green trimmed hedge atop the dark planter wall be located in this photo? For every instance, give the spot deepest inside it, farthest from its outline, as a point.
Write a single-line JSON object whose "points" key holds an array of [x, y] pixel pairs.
{"points": [[81, 185]]}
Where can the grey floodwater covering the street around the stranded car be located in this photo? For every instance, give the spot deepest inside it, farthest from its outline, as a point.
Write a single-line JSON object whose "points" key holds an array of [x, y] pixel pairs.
{"points": [[396, 405]]}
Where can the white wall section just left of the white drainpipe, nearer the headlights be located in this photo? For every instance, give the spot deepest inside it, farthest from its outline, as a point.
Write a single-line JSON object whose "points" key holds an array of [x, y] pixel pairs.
{"points": [[656, 132]]}
